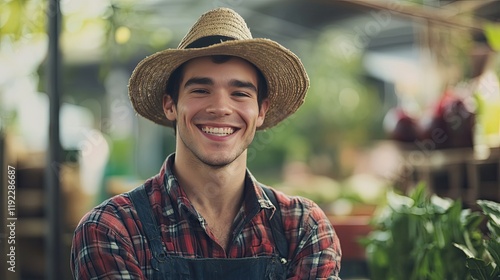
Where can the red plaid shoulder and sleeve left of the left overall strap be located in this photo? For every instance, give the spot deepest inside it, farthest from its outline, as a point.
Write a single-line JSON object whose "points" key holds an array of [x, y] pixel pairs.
{"points": [[108, 242]]}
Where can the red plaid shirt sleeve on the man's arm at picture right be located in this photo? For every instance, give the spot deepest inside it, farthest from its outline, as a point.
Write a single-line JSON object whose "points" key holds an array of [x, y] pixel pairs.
{"points": [[318, 252]]}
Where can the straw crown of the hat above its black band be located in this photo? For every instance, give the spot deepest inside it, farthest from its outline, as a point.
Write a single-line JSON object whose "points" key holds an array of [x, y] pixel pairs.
{"points": [[218, 22]]}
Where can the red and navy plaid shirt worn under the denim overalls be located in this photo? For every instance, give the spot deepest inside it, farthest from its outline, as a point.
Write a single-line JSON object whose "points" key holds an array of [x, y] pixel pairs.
{"points": [[108, 243]]}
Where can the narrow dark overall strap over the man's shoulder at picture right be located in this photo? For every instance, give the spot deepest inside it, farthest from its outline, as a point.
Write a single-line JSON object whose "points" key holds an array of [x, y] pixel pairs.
{"points": [[277, 226]]}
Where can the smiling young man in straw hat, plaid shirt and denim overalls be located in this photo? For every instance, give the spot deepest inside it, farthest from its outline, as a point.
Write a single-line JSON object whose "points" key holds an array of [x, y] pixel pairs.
{"points": [[204, 216]]}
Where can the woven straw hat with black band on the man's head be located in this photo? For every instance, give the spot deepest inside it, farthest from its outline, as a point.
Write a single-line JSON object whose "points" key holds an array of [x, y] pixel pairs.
{"points": [[287, 80]]}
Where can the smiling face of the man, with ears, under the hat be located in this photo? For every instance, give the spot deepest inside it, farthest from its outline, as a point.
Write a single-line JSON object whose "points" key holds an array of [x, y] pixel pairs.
{"points": [[217, 112]]}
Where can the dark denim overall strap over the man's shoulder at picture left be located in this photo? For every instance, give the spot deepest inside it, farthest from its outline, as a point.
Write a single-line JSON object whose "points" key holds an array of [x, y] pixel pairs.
{"points": [[139, 198]]}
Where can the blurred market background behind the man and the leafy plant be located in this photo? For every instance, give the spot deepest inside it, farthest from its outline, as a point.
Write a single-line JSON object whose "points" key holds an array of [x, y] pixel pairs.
{"points": [[402, 91]]}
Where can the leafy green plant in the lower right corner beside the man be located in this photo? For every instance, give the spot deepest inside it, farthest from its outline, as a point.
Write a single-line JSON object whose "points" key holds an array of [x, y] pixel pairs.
{"points": [[422, 236]]}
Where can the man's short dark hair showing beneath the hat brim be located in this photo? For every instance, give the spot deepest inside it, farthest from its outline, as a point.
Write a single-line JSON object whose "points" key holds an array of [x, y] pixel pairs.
{"points": [[173, 83]]}
